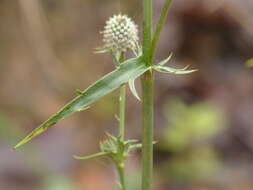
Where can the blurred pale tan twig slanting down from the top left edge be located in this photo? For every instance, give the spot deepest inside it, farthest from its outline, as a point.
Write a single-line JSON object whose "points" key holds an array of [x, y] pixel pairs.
{"points": [[37, 31]]}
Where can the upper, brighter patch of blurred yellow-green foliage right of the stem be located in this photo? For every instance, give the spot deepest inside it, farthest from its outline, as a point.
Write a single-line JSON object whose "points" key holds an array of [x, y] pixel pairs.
{"points": [[189, 124]]}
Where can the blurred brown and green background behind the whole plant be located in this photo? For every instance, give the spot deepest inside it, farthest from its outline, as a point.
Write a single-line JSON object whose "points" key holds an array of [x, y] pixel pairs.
{"points": [[204, 125]]}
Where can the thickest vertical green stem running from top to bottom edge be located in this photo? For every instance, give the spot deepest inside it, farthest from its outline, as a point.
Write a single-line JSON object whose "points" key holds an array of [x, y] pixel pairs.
{"points": [[147, 81]]}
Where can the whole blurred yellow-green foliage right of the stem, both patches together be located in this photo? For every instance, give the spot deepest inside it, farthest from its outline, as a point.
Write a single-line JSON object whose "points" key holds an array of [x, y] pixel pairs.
{"points": [[188, 139]]}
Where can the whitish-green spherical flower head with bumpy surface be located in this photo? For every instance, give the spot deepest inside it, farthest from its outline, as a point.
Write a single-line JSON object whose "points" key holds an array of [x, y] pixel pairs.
{"points": [[120, 34]]}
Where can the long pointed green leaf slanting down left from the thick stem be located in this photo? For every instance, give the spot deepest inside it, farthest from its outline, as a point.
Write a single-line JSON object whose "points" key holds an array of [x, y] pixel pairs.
{"points": [[131, 68]]}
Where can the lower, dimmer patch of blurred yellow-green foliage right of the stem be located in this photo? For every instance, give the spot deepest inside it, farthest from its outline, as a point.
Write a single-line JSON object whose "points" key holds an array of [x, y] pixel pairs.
{"points": [[197, 165]]}
